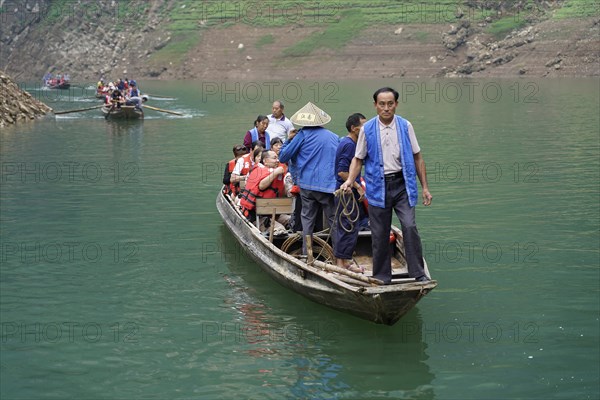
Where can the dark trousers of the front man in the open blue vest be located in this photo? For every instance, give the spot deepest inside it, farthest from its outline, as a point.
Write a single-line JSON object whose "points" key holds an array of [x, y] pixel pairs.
{"points": [[396, 199]]}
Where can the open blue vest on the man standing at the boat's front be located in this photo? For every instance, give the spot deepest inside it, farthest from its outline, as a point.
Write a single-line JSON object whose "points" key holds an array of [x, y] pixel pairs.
{"points": [[374, 175]]}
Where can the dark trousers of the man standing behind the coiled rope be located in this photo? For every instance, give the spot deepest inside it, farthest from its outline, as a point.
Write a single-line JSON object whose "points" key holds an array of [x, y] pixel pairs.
{"points": [[346, 232]]}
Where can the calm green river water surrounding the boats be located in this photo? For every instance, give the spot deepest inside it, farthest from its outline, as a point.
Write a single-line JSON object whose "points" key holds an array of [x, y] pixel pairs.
{"points": [[119, 280]]}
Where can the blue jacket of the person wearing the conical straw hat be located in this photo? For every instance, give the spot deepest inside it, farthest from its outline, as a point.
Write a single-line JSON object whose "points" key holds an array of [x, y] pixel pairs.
{"points": [[312, 152]]}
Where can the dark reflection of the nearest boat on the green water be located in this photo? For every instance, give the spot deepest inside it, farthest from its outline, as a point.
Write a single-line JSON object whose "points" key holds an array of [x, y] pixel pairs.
{"points": [[328, 354]]}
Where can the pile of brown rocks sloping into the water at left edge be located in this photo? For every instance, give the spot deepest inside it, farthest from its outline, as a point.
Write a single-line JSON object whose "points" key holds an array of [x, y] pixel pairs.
{"points": [[17, 105]]}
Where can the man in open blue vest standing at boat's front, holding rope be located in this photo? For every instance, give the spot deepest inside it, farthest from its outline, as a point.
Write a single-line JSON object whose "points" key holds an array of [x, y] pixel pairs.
{"points": [[388, 147]]}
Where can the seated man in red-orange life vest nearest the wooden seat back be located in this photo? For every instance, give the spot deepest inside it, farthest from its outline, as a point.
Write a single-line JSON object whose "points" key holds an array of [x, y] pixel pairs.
{"points": [[265, 181]]}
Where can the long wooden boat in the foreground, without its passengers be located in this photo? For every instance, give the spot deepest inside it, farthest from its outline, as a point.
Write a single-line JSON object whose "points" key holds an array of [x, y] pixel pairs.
{"points": [[321, 281]]}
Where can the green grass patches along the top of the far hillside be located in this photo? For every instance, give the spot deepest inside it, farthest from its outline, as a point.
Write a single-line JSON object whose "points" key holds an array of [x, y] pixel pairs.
{"points": [[341, 20]]}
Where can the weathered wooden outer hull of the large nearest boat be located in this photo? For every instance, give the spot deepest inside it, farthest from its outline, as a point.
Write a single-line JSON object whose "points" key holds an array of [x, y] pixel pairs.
{"points": [[382, 304]]}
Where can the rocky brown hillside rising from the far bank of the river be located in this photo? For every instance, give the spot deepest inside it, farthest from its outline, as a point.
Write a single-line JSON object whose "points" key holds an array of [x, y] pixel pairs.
{"points": [[171, 39]]}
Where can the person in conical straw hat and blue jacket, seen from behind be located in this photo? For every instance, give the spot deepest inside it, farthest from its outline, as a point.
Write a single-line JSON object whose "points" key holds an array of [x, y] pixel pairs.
{"points": [[311, 151]]}
